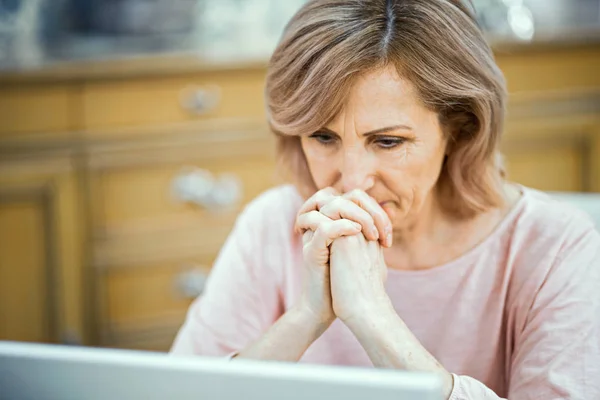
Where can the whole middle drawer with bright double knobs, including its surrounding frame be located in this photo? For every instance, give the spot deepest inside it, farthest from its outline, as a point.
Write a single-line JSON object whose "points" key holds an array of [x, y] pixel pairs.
{"points": [[146, 191]]}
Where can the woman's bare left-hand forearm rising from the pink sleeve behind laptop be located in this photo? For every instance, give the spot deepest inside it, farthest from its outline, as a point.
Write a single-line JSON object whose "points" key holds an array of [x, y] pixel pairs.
{"points": [[288, 338]]}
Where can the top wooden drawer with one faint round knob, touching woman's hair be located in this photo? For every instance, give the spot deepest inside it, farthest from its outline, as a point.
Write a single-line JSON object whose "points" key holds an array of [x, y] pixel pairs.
{"points": [[173, 99]]}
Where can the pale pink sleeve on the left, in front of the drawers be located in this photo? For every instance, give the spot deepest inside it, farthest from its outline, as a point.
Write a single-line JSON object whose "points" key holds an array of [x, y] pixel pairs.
{"points": [[242, 294]]}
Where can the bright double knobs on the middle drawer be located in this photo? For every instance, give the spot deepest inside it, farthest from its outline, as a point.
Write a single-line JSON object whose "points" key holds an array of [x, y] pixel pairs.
{"points": [[202, 188]]}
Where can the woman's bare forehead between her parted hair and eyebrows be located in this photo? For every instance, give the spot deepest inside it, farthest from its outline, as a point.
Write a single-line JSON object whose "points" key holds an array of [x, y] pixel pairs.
{"points": [[379, 98]]}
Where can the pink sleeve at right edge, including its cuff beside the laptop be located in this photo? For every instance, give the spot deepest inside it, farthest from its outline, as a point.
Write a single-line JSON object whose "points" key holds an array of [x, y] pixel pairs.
{"points": [[557, 353]]}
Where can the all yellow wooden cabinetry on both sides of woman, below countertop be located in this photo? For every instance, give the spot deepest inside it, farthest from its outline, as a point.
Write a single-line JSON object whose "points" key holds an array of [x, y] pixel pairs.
{"points": [[117, 190]]}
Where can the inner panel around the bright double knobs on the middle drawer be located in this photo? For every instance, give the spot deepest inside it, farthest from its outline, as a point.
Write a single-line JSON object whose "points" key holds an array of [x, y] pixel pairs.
{"points": [[139, 195]]}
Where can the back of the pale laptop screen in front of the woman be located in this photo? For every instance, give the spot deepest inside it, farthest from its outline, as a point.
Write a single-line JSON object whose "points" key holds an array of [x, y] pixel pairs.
{"points": [[43, 371]]}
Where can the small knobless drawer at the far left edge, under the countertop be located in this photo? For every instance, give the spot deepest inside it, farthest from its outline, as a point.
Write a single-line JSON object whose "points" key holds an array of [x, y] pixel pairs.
{"points": [[35, 109]]}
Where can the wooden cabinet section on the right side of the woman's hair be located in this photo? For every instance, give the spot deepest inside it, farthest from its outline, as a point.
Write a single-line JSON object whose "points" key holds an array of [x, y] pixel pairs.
{"points": [[552, 134]]}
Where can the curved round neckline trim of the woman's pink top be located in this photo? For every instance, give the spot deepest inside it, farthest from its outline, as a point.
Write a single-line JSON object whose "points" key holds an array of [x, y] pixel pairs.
{"points": [[498, 230]]}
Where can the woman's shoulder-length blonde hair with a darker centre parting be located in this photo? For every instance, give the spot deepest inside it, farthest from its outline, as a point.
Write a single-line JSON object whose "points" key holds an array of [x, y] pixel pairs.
{"points": [[435, 44]]}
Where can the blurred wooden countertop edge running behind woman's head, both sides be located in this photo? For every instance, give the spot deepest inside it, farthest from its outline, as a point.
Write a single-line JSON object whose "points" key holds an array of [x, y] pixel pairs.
{"points": [[111, 66]]}
